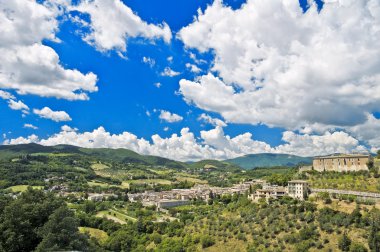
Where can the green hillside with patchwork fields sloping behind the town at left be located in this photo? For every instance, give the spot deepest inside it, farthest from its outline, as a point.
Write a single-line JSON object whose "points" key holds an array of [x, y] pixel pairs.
{"points": [[32, 164]]}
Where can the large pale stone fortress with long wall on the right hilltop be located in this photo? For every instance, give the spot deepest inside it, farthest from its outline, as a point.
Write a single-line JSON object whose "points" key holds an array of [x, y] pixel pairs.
{"points": [[342, 163]]}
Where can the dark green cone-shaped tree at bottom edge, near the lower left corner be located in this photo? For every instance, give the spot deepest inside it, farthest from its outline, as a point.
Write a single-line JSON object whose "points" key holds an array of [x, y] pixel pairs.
{"points": [[61, 233]]}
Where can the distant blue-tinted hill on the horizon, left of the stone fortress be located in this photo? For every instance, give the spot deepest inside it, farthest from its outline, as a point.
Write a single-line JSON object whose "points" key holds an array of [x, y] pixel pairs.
{"points": [[269, 160]]}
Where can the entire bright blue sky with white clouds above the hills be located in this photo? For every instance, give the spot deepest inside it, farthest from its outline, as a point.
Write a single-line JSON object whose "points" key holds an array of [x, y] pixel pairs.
{"points": [[191, 80]]}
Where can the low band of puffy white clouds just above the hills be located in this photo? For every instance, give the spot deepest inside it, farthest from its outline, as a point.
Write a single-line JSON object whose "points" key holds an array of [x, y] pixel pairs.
{"points": [[213, 144]]}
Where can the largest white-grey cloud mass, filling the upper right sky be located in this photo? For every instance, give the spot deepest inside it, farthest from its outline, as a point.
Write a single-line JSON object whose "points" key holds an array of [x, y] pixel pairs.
{"points": [[279, 66]]}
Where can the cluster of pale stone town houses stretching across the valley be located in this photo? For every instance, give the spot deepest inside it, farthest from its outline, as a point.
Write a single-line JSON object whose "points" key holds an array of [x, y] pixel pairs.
{"points": [[296, 189]]}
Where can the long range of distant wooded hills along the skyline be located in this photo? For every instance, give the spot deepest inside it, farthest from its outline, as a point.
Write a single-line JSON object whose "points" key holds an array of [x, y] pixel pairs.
{"points": [[128, 156]]}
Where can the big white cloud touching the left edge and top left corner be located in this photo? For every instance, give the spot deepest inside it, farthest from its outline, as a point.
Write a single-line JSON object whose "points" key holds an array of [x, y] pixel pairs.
{"points": [[28, 66]]}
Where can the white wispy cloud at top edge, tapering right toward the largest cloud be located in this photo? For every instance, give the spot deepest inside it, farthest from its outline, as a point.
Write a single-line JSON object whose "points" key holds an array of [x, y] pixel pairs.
{"points": [[112, 23]]}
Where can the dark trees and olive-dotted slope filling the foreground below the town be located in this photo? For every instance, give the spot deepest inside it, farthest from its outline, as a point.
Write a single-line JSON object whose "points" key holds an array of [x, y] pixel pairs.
{"points": [[36, 221]]}
